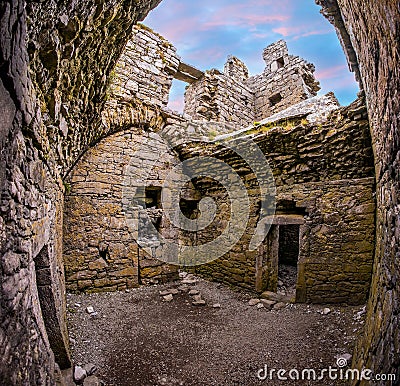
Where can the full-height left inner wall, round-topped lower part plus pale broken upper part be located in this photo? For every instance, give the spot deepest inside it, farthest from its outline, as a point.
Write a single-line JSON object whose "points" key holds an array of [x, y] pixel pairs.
{"points": [[100, 245]]}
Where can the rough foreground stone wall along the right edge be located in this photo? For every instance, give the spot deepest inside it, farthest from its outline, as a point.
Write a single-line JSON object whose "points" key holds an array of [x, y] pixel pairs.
{"points": [[370, 32]]}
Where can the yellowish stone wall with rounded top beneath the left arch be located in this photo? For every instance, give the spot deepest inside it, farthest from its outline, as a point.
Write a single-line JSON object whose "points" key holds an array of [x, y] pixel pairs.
{"points": [[101, 251]]}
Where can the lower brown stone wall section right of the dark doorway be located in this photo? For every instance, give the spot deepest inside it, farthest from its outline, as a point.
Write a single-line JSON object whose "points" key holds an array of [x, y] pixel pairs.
{"points": [[337, 239]]}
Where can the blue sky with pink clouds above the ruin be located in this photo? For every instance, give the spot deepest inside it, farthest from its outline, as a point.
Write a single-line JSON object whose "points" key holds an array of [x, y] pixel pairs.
{"points": [[206, 32]]}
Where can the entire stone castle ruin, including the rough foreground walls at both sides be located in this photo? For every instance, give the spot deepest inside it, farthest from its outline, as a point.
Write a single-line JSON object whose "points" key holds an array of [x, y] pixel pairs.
{"points": [[84, 118]]}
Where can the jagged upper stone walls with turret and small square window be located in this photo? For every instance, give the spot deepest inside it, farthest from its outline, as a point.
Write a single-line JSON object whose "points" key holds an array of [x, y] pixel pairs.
{"points": [[234, 97]]}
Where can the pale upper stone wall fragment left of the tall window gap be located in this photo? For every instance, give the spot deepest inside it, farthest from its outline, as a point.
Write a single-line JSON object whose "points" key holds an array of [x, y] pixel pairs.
{"points": [[145, 69]]}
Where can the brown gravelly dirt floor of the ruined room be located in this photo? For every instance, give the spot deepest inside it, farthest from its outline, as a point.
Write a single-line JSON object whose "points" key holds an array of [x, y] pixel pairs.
{"points": [[137, 338]]}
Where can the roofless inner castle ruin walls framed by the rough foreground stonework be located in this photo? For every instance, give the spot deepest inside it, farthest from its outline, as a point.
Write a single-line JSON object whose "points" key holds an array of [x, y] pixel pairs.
{"points": [[319, 154]]}
